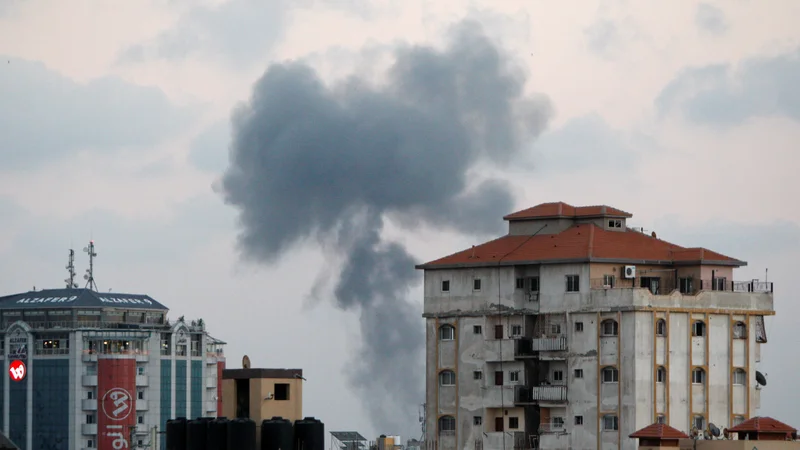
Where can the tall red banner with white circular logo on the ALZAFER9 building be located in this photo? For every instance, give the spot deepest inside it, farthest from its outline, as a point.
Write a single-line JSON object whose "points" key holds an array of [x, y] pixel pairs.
{"points": [[116, 412]]}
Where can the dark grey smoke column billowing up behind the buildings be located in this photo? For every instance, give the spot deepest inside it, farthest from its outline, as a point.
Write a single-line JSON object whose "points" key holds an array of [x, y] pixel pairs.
{"points": [[311, 161]]}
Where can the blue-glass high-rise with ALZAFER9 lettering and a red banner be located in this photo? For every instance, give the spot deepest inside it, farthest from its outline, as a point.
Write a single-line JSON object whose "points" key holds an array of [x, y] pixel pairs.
{"points": [[91, 370]]}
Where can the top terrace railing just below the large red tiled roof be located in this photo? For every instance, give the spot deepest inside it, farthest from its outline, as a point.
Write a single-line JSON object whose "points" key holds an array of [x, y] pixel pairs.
{"points": [[665, 285]]}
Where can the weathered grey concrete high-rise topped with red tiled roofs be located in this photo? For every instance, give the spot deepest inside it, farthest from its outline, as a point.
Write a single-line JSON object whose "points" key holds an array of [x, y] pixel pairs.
{"points": [[574, 330]]}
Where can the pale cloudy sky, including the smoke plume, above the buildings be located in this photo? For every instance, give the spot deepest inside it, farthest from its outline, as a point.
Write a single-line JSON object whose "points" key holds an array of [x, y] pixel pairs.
{"points": [[231, 158]]}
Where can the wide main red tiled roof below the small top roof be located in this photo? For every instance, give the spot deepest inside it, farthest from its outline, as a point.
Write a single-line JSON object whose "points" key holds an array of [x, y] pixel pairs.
{"points": [[582, 242]]}
